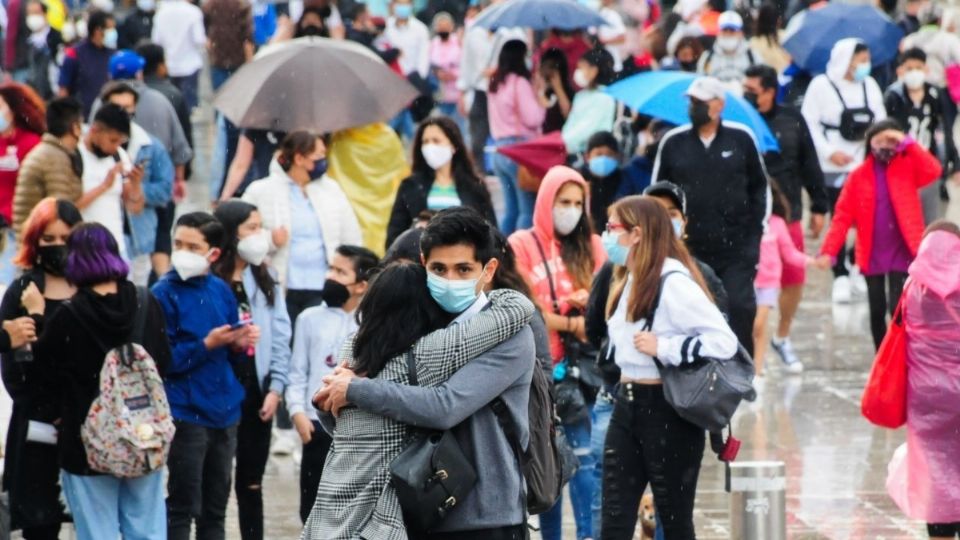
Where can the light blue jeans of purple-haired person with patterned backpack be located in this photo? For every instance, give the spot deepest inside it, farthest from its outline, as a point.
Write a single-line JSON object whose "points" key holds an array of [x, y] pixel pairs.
{"points": [[108, 507]]}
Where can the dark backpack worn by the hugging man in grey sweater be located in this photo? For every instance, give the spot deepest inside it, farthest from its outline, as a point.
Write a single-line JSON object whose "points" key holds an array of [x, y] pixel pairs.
{"points": [[548, 463]]}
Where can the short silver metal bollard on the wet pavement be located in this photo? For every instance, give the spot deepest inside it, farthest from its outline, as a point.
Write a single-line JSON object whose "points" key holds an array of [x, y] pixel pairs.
{"points": [[758, 502]]}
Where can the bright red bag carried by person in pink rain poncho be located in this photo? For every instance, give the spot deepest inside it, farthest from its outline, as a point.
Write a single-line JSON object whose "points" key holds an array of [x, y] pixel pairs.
{"points": [[884, 401]]}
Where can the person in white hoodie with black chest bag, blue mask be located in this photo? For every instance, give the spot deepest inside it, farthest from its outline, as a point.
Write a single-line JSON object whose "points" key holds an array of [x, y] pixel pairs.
{"points": [[839, 107]]}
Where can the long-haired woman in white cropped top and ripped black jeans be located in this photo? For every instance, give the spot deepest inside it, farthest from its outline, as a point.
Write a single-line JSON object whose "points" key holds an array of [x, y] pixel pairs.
{"points": [[647, 442]]}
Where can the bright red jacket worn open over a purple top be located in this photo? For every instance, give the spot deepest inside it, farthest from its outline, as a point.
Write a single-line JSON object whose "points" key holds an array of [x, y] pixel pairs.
{"points": [[909, 171]]}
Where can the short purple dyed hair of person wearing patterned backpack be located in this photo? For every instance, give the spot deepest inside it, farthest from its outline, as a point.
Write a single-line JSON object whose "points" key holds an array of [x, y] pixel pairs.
{"points": [[94, 257]]}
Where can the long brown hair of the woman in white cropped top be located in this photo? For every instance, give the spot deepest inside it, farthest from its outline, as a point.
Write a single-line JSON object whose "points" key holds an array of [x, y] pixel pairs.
{"points": [[645, 261]]}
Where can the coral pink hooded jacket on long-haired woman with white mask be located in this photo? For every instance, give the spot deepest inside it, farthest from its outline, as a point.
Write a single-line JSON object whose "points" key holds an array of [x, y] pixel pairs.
{"points": [[531, 264]]}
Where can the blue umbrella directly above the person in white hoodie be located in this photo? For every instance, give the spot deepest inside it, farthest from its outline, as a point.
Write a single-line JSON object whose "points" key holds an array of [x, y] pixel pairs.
{"points": [[811, 43]]}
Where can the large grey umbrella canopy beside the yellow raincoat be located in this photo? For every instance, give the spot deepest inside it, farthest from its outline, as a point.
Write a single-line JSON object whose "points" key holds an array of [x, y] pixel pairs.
{"points": [[313, 83]]}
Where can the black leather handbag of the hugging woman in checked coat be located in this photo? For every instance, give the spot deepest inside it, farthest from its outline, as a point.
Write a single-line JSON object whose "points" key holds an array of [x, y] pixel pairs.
{"points": [[431, 474]]}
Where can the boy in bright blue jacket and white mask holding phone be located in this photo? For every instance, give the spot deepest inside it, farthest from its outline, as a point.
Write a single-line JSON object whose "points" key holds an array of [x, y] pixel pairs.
{"points": [[204, 394]]}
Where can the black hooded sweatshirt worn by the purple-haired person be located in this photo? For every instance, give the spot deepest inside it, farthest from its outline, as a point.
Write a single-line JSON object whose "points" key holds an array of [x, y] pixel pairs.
{"points": [[77, 356]]}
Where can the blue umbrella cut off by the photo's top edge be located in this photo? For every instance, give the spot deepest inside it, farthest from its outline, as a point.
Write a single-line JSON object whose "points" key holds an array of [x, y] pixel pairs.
{"points": [[540, 15]]}
